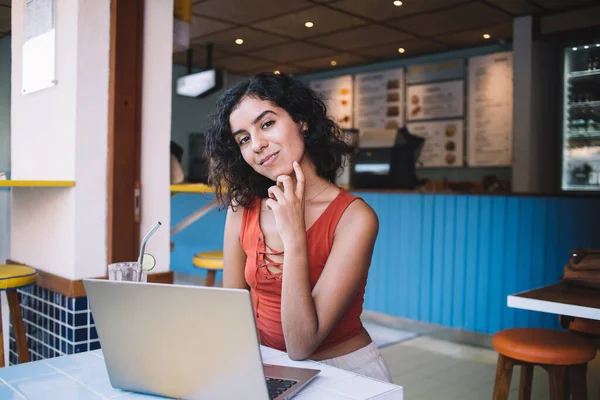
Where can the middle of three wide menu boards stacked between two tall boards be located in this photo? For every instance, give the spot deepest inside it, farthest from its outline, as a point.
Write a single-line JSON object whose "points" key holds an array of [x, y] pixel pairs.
{"points": [[435, 100]]}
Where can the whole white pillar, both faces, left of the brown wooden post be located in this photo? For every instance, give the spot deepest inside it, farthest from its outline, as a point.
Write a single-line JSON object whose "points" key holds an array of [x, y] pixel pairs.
{"points": [[60, 133]]}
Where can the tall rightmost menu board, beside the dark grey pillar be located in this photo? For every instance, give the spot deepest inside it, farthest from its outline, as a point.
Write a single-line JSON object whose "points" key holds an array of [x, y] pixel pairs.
{"points": [[490, 110]]}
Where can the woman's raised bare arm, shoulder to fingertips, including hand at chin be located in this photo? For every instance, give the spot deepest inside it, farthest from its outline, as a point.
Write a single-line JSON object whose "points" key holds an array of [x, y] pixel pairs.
{"points": [[308, 316]]}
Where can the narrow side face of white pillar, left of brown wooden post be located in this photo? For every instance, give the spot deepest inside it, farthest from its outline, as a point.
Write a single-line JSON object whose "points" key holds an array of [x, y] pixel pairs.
{"points": [[91, 142]]}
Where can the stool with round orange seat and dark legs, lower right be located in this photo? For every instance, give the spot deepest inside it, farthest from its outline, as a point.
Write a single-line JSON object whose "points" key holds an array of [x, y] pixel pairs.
{"points": [[559, 353]]}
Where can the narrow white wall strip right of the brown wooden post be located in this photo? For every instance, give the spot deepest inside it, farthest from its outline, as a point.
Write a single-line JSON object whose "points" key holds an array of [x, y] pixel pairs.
{"points": [[156, 128]]}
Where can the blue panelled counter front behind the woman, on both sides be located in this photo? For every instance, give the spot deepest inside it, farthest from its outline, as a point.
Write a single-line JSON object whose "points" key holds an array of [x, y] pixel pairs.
{"points": [[448, 259]]}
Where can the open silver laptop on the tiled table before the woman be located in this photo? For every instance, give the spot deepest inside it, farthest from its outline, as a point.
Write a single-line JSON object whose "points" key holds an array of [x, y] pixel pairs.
{"points": [[185, 342]]}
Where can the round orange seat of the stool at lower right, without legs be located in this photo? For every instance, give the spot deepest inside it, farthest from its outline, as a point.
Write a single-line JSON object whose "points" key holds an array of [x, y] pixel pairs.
{"points": [[544, 346]]}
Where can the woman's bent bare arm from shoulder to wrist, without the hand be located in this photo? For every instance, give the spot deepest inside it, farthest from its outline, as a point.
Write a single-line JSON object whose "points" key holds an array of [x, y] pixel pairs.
{"points": [[308, 317]]}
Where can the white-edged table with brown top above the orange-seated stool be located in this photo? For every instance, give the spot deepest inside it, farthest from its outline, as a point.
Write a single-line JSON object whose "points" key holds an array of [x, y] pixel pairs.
{"points": [[559, 298]]}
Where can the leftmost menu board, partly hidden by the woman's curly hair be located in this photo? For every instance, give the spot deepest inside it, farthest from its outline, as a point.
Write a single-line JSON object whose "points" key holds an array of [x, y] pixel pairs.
{"points": [[337, 95]]}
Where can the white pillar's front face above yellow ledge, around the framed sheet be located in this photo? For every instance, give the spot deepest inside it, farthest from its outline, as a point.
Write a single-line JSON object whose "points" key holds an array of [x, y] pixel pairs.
{"points": [[43, 123]]}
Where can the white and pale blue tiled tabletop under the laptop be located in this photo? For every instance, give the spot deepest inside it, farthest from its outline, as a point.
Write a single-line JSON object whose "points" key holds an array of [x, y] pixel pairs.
{"points": [[83, 376]]}
